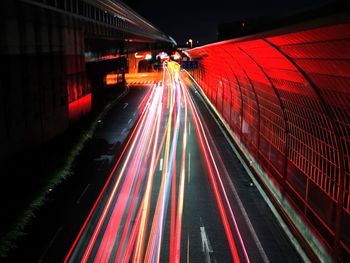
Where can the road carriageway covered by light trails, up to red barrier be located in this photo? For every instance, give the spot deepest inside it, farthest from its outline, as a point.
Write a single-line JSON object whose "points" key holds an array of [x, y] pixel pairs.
{"points": [[178, 192]]}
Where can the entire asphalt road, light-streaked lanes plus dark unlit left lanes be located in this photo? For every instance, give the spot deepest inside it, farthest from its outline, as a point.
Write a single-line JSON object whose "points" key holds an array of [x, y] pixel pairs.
{"points": [[161, 184]]}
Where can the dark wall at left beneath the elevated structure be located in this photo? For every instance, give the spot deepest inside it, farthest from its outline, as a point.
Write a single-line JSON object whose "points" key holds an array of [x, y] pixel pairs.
{"points": [[43, 70]]}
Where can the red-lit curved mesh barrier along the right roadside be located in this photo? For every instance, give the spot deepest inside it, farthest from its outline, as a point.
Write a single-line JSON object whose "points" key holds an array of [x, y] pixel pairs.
{"points": [[284, 95]]}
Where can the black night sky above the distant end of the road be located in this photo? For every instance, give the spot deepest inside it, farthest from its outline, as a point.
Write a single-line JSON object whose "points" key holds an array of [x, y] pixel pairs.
{"points": [[184, 19]]}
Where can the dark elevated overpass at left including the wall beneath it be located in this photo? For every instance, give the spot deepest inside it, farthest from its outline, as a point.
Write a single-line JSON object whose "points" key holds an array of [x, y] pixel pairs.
{"points": [[44, 47]]}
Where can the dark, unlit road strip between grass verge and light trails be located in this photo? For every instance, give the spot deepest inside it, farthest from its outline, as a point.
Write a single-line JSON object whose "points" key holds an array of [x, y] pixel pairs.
{"points": [[50, 234]]}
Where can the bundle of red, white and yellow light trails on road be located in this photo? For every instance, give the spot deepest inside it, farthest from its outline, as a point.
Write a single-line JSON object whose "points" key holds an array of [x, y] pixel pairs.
{"points": [[128, 220]]}
